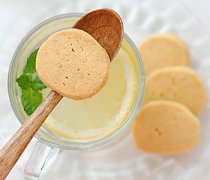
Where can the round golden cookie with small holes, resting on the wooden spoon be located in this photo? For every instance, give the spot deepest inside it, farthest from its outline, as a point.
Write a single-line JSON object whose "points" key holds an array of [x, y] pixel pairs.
{"points": [[73, 63]]}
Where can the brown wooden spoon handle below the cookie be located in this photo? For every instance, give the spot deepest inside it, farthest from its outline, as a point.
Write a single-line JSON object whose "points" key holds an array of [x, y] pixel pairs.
{"points": [[17, 144]]}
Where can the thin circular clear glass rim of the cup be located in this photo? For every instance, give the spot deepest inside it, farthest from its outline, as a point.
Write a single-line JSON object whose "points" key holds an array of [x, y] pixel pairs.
{"points": [[83, 145]]}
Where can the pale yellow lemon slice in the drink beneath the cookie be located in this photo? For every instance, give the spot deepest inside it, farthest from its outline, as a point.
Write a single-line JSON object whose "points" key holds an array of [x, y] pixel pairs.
{"points": [[100, 115]]}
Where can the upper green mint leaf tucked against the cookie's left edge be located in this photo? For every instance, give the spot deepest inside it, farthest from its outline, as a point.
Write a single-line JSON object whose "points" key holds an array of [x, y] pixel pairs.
{"points": [[31, 63]]}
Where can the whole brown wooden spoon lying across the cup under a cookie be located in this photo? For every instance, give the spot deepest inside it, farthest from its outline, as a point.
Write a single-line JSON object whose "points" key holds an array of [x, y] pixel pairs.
{"points": [[106, 27]]}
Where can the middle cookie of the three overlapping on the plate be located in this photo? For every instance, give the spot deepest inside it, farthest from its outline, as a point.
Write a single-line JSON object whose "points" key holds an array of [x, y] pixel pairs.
{"points": [[180, 84]]}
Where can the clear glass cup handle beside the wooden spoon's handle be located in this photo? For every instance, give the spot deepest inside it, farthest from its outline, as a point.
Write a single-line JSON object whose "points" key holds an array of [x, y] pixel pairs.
{"points": [[41, 157]]}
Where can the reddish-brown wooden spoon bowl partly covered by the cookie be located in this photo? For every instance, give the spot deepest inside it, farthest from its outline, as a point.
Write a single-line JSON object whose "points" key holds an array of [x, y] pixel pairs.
{"points": [[106, 26]]}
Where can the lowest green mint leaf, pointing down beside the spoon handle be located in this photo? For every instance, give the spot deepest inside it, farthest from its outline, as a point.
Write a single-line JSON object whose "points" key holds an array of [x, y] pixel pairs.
{"points": [[30, 100]]}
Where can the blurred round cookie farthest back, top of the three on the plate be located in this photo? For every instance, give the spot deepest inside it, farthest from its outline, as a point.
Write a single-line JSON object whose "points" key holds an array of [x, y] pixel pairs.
{"points": [[163, 50]]}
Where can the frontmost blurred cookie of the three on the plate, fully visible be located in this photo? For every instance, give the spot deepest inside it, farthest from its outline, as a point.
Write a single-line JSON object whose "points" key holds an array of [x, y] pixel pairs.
{"points": [[165, 127]]}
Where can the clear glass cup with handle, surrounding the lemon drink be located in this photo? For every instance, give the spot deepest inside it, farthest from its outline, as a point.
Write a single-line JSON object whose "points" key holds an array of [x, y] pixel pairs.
{"points": [[49, 143]]}
